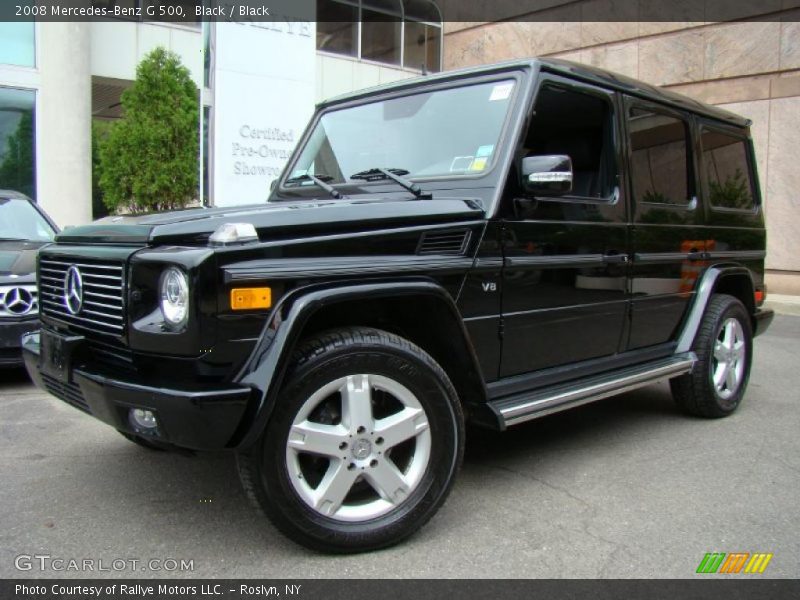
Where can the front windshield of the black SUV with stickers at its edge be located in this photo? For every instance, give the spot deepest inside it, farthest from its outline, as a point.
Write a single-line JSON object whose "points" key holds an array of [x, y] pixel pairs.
{"points": [[452, 132]]}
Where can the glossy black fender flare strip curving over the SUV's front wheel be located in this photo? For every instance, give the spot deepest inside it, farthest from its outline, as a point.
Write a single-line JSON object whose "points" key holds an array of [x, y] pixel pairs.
{"points": [[266, 368]]}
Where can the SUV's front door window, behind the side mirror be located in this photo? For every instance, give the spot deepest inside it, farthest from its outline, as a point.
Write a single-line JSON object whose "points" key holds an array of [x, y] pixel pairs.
{"points": [[579, 125]]}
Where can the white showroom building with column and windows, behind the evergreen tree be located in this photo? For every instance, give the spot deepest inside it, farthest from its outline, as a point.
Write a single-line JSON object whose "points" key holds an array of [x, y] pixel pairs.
{"points": [[257, 83]]}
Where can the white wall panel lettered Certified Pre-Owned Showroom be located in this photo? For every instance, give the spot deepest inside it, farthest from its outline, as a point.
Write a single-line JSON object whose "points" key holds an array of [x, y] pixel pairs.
{"points": [[263, 98]]}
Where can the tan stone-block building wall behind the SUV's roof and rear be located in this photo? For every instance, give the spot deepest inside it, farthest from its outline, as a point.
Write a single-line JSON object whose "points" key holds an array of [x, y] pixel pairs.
{"points": [[751, 68]]}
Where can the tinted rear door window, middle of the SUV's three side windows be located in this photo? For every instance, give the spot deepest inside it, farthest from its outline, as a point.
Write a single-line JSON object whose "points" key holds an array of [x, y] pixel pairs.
{"points": [[659, 157]]}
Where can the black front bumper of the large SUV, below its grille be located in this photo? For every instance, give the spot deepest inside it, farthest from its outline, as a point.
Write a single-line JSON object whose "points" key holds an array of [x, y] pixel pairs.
{"points": [[200, 419]]}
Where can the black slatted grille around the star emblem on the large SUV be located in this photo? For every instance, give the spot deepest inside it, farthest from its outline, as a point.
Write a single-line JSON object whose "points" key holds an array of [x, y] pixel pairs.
{"points": [[102, 310]]}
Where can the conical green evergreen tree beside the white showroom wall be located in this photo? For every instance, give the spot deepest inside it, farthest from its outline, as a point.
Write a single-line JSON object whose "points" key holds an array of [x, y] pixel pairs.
{"points": [[149, 159]]}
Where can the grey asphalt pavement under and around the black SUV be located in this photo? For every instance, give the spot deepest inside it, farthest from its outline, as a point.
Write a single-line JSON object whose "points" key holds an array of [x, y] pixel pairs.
{"points": [[627, 487]]}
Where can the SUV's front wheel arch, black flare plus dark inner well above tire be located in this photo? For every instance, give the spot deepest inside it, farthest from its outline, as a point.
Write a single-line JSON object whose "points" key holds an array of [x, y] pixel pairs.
{"points": [[421, 311]]}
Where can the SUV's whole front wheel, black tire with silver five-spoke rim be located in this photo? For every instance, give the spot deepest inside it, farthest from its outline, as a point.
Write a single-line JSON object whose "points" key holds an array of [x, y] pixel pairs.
{"points": [[335, 498]]}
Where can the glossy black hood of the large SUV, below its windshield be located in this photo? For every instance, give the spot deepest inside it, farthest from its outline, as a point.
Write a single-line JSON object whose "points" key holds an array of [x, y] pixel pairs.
{"points": [[273, 220]]}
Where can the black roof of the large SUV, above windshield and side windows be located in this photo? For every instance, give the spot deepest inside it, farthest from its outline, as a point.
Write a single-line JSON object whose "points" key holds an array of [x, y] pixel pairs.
{"points": [[586, 73]]}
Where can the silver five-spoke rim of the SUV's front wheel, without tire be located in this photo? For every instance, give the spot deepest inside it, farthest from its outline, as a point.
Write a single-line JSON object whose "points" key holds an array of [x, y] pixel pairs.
{"points": [[380, 437]]}
